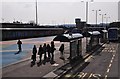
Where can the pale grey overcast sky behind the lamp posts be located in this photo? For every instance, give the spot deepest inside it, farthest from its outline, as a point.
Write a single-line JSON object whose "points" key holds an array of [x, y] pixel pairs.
{"points": [[57, 11]]}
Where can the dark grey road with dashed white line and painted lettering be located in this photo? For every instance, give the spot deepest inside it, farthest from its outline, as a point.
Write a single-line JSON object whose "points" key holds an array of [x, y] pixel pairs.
{"points": [[102, 64]]}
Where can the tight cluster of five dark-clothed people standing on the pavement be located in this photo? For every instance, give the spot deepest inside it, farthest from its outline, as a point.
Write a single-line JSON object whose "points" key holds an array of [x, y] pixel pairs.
{"points": [[46, 50]]}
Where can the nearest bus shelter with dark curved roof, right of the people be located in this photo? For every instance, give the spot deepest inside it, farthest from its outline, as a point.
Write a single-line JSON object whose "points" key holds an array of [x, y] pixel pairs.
{"points": [[75, 45]]}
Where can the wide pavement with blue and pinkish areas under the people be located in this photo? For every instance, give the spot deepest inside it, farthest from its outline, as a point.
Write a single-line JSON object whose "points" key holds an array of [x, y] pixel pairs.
{"points": [[20, 67]]}
